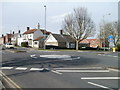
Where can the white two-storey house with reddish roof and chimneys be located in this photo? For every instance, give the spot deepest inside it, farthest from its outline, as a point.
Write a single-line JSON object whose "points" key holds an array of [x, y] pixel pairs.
{"points": [[31, 35]]}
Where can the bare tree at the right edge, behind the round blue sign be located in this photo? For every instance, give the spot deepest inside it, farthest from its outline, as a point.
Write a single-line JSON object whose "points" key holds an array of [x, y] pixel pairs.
{"points": [[106, 29]]}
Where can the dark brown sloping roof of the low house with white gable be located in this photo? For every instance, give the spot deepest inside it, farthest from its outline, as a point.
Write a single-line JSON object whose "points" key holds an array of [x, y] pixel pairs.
{"points": [[63, 38]]}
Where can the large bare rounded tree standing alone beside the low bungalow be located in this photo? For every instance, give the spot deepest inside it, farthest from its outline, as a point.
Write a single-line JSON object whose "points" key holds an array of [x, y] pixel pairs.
{"points": [[78, 25]]}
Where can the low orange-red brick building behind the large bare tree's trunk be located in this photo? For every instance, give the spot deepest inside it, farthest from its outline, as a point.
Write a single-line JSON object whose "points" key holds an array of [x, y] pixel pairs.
{"points": [[90, 43]]}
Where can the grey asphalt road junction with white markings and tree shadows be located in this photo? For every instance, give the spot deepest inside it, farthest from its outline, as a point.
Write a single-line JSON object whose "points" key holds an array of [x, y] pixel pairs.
{"points": [[61, 69]]}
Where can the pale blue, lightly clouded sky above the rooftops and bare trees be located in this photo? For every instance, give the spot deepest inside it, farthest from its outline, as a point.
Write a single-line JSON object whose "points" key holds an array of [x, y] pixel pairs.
{"points": [[20, 15]]}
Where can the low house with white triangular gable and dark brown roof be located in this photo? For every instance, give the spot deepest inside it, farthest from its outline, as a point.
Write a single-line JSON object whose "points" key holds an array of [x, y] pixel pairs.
{"points": [[60, 40]]}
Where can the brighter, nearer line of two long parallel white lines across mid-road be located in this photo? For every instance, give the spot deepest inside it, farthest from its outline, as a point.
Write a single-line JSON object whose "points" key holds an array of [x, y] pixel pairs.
{"points": [[82, 70]]}
